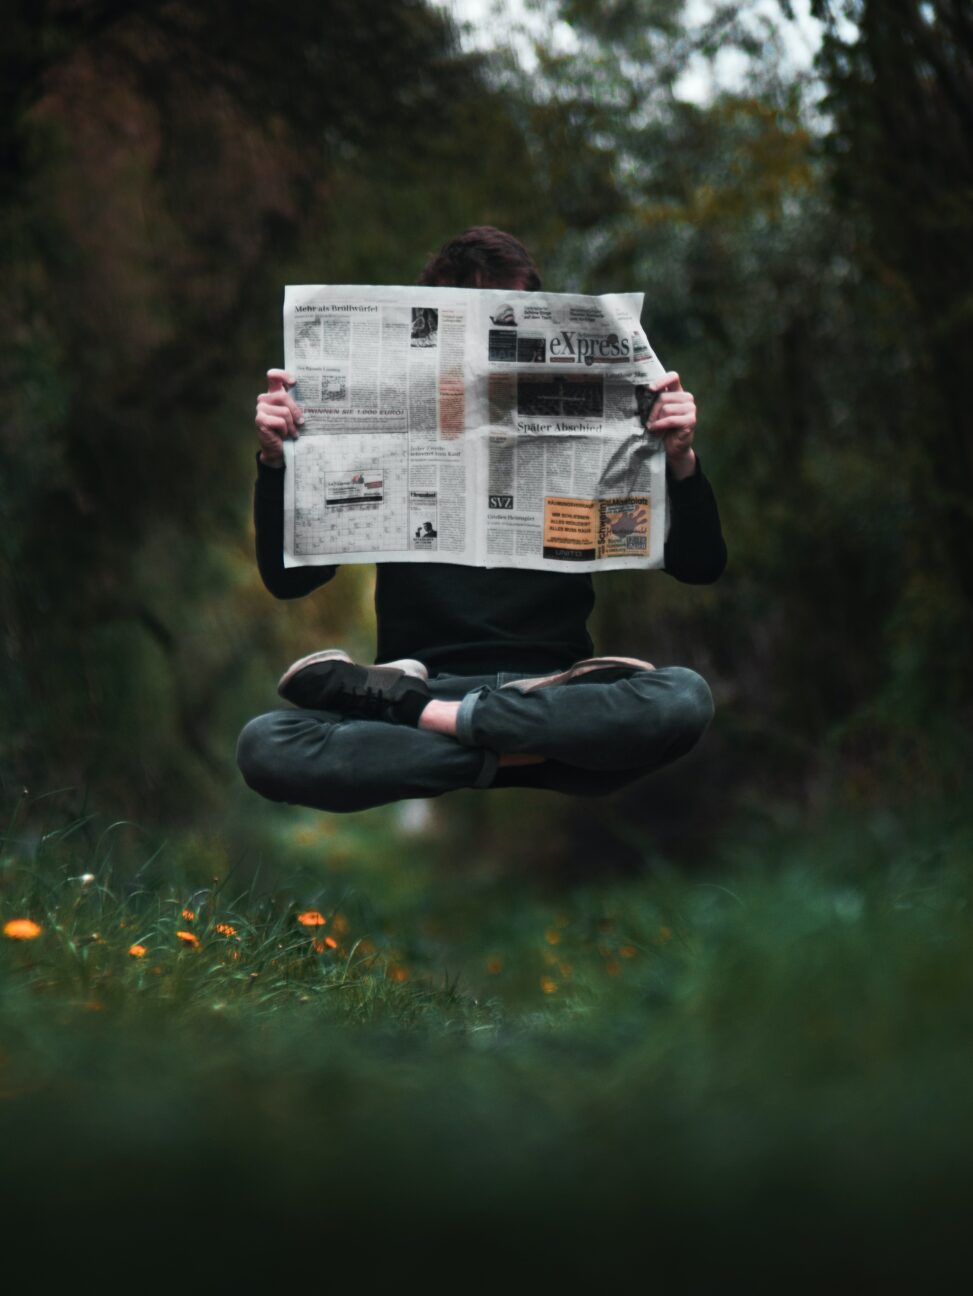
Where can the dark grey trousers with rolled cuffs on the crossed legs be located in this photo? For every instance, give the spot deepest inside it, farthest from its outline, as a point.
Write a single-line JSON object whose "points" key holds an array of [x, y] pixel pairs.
{"points": [[597, 738]]}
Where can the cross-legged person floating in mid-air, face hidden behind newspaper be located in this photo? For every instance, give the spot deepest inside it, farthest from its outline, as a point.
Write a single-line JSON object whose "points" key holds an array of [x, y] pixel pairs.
{"points": [[484, 677]]}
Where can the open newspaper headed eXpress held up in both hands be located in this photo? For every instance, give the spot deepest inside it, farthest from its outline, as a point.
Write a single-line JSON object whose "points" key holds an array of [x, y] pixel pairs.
{"points": [[481, 427]]}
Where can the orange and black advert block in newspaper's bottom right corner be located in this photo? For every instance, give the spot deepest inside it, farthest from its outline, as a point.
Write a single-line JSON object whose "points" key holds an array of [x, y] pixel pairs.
{"points": [[581, 531]]}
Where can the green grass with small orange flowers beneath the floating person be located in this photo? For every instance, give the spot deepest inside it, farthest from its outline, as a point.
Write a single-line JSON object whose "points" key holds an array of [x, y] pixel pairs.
{"points": [[766, 1061]]}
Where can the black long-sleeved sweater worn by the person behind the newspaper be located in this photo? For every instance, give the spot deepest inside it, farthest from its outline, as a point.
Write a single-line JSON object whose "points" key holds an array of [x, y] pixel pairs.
{"points": [[474, 621]]}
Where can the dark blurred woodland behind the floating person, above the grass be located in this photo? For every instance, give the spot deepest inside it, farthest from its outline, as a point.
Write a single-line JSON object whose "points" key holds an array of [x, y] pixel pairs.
{"points": [[805, 246]]}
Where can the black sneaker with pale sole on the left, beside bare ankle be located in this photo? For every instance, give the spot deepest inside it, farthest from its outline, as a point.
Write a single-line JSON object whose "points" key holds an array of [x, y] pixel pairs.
{"points": [[396, 691]]}
